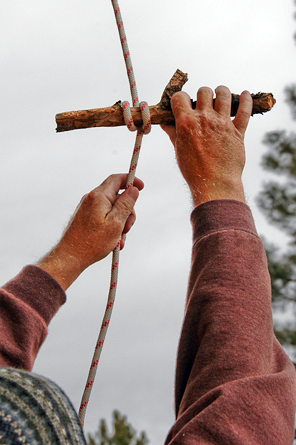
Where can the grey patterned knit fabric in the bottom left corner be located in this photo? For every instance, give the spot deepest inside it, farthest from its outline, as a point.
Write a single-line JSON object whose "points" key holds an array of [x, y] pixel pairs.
{"points": [[35, 411]]}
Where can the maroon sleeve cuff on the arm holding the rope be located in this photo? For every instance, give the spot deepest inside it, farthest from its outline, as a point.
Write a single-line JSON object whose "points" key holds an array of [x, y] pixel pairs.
{"points": [[27, 304]]}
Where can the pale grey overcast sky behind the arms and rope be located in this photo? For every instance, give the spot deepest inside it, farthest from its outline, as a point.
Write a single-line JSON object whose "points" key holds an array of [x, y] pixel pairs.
{"points": [[62, 55]]}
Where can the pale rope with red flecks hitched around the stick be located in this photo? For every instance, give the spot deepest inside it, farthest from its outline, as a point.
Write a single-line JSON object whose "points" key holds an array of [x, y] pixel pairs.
{"points": [[145, 129]]}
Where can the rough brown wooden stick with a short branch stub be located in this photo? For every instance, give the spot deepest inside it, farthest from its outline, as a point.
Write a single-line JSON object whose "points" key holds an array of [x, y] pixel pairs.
{"points": [[160, 113]]}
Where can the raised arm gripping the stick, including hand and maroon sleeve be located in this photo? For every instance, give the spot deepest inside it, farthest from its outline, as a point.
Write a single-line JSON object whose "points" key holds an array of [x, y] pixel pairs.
{"points": [[234, 383]]}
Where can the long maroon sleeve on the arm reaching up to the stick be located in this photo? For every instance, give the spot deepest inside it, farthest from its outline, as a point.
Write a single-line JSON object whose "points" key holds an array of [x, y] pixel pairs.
{"points": [[234, 383]]}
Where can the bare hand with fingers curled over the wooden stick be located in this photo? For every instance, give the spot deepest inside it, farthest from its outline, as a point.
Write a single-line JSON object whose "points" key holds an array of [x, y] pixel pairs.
{"points": [[209, 145]]}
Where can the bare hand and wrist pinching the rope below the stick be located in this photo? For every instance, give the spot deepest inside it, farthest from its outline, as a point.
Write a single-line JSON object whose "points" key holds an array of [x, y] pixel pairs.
{"points": [[101, 218]]}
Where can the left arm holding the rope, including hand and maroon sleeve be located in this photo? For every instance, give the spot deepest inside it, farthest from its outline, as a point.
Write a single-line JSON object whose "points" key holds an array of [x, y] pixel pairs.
{"points": [[30, 300]]}
